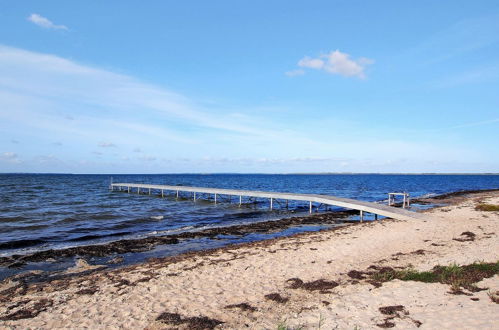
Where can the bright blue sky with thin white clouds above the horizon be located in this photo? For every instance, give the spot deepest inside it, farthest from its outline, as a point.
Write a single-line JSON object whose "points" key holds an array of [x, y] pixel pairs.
{"points": [[249, 86]]}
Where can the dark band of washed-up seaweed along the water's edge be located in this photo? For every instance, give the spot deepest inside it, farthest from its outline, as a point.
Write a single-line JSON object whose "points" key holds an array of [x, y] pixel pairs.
{"points": [[109, 253]]}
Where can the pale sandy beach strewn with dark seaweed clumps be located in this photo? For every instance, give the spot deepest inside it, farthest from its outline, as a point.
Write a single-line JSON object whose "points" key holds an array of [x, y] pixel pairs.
{"points": [[199, 286]]}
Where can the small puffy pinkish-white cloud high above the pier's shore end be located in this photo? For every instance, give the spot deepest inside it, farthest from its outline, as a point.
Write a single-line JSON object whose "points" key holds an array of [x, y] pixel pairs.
{"points": [[337, 62]]}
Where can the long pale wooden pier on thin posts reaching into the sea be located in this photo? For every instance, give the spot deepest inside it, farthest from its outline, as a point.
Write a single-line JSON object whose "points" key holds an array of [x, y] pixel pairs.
{"points": [[280, 197]]}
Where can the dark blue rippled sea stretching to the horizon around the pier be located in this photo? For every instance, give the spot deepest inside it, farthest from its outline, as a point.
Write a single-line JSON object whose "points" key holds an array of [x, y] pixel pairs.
{"points": [[55, 211]]}
